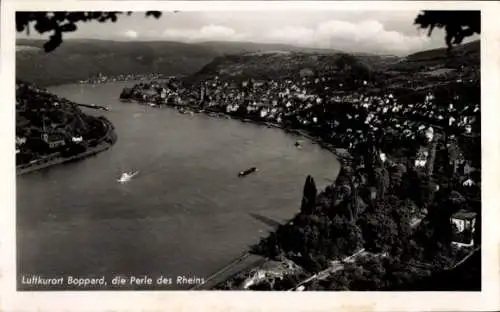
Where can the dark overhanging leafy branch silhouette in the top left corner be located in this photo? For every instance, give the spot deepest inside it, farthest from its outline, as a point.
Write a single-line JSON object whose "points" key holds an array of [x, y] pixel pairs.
{"points": [[61, 22]]}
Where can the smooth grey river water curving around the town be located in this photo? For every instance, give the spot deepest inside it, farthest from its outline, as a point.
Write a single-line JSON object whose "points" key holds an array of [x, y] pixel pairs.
{"points": [[185, 213]]}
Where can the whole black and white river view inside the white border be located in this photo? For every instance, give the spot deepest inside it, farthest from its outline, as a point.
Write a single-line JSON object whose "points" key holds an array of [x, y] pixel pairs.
{"points": [[283, 150]]}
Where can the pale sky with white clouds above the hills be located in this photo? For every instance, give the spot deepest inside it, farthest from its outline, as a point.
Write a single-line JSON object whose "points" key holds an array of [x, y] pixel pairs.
{"points": [[382, 32]]}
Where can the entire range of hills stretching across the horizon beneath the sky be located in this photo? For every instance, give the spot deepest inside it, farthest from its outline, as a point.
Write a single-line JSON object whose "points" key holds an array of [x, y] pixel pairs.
{"points": [[81, 59]]}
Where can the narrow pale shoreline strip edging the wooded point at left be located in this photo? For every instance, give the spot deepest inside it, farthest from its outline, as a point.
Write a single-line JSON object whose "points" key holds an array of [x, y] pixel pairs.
{"points": [[104, 143]]}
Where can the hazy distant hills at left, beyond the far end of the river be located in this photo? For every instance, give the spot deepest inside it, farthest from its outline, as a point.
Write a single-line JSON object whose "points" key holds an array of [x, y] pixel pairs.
{"points": [[80, 59]]}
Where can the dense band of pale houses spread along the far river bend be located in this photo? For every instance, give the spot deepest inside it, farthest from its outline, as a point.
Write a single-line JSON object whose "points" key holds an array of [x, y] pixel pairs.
{"points": [[321, 105]]}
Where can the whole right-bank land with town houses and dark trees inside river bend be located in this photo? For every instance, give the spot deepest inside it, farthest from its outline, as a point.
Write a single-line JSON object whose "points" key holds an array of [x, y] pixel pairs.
{"points": [[407, 202]]}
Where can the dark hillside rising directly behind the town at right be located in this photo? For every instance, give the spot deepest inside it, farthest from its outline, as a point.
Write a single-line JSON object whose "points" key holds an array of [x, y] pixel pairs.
{"points": [[424, 68]]}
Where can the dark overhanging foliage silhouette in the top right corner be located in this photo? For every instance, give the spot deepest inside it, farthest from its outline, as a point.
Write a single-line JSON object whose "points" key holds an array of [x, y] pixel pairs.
{"points": [[457, 24]]}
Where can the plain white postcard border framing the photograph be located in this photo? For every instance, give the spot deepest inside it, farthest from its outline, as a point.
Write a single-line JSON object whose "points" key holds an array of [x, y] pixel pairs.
{"points": [[11, 300]]}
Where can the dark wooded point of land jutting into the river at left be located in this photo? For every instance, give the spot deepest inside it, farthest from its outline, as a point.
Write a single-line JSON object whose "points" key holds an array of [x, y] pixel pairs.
{"points": [[52, 130]]}
